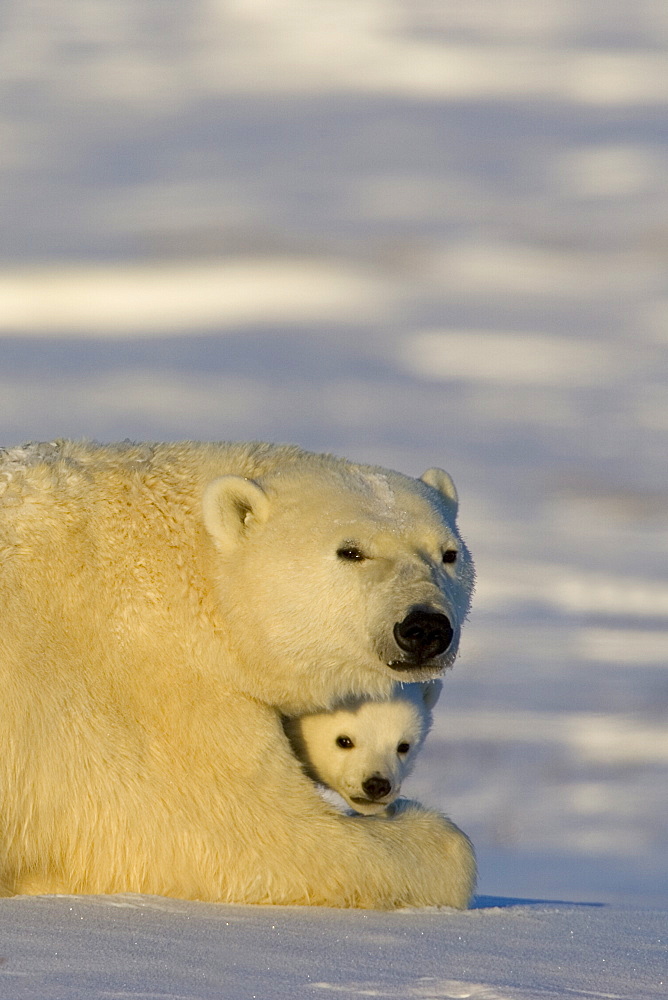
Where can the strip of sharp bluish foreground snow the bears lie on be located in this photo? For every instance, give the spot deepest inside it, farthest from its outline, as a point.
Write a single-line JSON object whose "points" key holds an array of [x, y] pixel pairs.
{"points": [[119, 946]]}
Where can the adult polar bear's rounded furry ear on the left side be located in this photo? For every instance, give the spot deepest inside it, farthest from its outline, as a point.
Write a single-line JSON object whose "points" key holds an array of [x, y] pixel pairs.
{"points": [[231, 505]]}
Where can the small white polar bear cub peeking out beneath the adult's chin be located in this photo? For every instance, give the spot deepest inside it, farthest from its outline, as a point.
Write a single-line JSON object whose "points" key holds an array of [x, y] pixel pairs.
{"points": [[364, 748]]}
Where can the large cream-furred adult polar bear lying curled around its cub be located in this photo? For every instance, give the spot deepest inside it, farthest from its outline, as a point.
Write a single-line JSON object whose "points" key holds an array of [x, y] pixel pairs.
{"points": [[162, 605]]}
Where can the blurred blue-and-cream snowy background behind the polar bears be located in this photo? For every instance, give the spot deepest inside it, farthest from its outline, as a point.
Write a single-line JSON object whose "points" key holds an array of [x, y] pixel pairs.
{"points": [[414, 233]]}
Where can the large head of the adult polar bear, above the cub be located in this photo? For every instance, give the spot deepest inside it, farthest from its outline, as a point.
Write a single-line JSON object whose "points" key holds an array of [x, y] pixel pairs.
{"points": [[337, 580]]}
